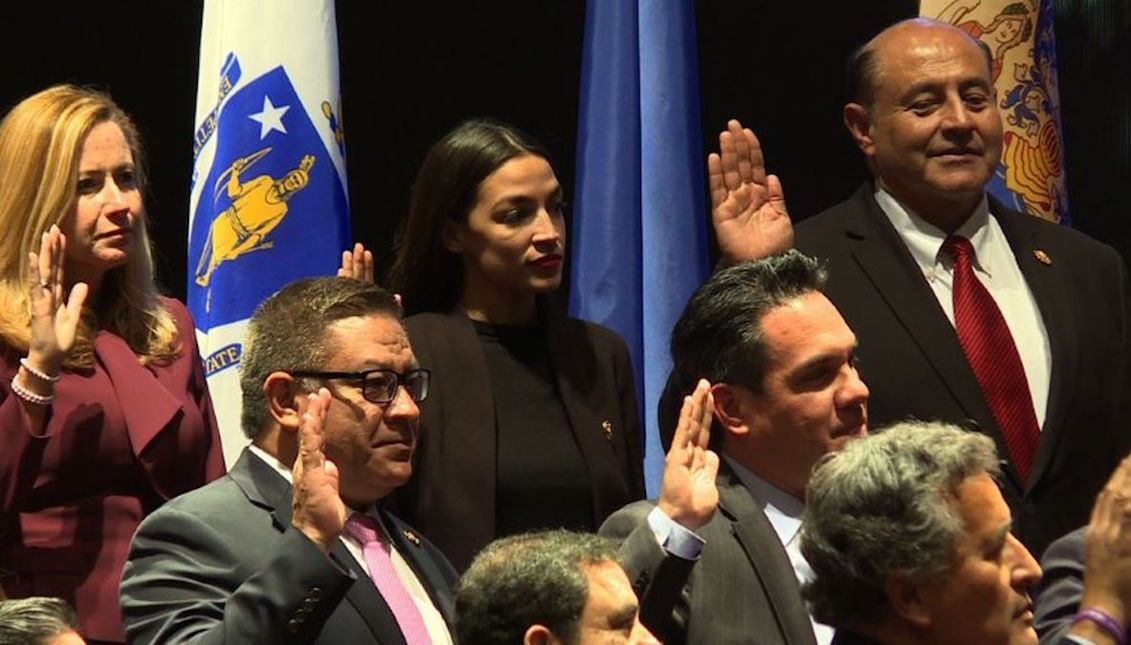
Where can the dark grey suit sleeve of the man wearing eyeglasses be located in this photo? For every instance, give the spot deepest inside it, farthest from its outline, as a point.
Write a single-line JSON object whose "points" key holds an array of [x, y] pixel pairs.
{"points": [[184, 584]]}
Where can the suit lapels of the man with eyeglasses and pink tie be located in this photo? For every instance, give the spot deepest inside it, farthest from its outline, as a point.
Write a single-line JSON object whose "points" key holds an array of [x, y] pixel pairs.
{"points": [[266, 488]]}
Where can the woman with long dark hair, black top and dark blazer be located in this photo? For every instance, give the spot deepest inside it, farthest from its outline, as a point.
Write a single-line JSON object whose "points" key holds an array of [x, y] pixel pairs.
{"points": [[532, 419]]}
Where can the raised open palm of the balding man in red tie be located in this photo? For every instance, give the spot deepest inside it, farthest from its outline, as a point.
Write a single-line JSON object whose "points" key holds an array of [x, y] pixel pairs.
{"points": [[748, 207]]}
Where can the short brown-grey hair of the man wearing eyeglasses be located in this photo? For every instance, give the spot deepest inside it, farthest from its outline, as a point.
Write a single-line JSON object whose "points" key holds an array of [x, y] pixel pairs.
{"points": [[288, 333]]}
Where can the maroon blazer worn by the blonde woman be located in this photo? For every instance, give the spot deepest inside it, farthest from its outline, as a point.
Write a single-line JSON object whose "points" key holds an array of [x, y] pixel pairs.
{"points": [[122, 438]]}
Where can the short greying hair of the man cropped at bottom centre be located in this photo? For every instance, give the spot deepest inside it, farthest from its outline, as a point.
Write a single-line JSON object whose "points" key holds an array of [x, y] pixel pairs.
{"points": [[533, 579]]}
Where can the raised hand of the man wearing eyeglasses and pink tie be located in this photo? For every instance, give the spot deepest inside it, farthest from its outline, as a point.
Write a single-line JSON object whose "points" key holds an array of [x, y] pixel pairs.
{"points": [[317, 508]]}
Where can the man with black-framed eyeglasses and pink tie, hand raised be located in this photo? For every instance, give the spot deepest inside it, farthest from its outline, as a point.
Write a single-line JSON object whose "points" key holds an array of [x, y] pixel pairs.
{"points": [[292, 545]]}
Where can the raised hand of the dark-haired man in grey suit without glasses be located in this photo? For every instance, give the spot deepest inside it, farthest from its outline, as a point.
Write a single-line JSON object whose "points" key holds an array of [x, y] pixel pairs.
{"points": [[688, 494]]}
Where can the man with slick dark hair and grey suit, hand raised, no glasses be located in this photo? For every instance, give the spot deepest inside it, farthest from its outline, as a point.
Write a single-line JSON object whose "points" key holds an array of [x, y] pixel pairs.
{"points": [[785, 393]]}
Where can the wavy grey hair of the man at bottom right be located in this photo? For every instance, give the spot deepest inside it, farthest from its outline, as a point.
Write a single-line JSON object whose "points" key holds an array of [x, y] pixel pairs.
{"points": [[883, 506]]}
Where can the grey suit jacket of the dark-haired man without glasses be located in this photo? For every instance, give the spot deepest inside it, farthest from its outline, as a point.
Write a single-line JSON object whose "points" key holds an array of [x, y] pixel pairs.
{"points": [[741, 590]]}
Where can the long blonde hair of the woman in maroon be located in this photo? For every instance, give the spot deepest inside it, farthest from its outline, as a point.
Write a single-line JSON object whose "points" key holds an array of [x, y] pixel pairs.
{"points": [[41, 145]]}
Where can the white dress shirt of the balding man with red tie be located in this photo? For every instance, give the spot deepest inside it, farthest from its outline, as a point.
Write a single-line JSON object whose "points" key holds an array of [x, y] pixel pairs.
{"points": [[996, 266]]}
